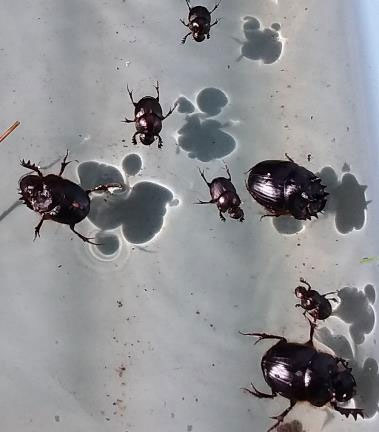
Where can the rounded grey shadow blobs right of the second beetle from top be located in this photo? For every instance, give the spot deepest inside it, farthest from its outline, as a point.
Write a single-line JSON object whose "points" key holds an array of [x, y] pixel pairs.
{"points": [[202, 137]]}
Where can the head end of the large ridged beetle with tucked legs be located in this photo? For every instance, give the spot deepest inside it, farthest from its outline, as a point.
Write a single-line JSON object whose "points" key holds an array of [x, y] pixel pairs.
{"points": [[309, 201]]}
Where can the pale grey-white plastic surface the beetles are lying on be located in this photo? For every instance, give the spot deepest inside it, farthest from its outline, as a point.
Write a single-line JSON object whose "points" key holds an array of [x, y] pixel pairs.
{"points": [[146, 337]]}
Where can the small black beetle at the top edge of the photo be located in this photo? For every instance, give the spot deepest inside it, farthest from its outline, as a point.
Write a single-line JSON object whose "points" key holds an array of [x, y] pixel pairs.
{"points": [[199, 22]]}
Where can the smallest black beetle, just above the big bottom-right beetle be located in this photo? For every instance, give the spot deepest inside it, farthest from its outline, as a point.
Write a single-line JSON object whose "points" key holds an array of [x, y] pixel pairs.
{"points": [[316, 305]]}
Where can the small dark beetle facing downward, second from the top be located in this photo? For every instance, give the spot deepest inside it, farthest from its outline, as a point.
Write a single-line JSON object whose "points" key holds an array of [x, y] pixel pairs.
{"points": [[148, 117]]}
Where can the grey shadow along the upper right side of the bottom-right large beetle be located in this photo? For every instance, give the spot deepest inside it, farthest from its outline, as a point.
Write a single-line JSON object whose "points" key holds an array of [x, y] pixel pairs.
{"points": [[365, 374]]}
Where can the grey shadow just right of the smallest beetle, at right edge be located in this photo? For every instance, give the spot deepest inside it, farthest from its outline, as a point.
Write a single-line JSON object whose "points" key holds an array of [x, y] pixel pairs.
{"points": [[355, 308]]}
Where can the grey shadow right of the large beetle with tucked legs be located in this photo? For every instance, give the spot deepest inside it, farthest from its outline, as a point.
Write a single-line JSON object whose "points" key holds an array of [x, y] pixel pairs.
{"points": [[347, 200]]}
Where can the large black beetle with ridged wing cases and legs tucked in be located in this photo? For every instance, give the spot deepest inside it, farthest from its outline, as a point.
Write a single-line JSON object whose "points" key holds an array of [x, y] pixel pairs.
{"points": [[284, 187]]}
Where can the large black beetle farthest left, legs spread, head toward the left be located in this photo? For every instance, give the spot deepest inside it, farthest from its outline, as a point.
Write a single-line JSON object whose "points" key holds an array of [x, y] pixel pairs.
{"points": [[57, 198]]}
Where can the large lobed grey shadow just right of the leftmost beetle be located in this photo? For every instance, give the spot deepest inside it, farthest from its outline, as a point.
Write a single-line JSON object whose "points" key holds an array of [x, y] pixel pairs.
{"points": [[138, 209]]}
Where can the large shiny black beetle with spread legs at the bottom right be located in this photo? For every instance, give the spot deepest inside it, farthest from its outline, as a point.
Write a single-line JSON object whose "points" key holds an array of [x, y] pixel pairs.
{"points": [[300, 372]]}
